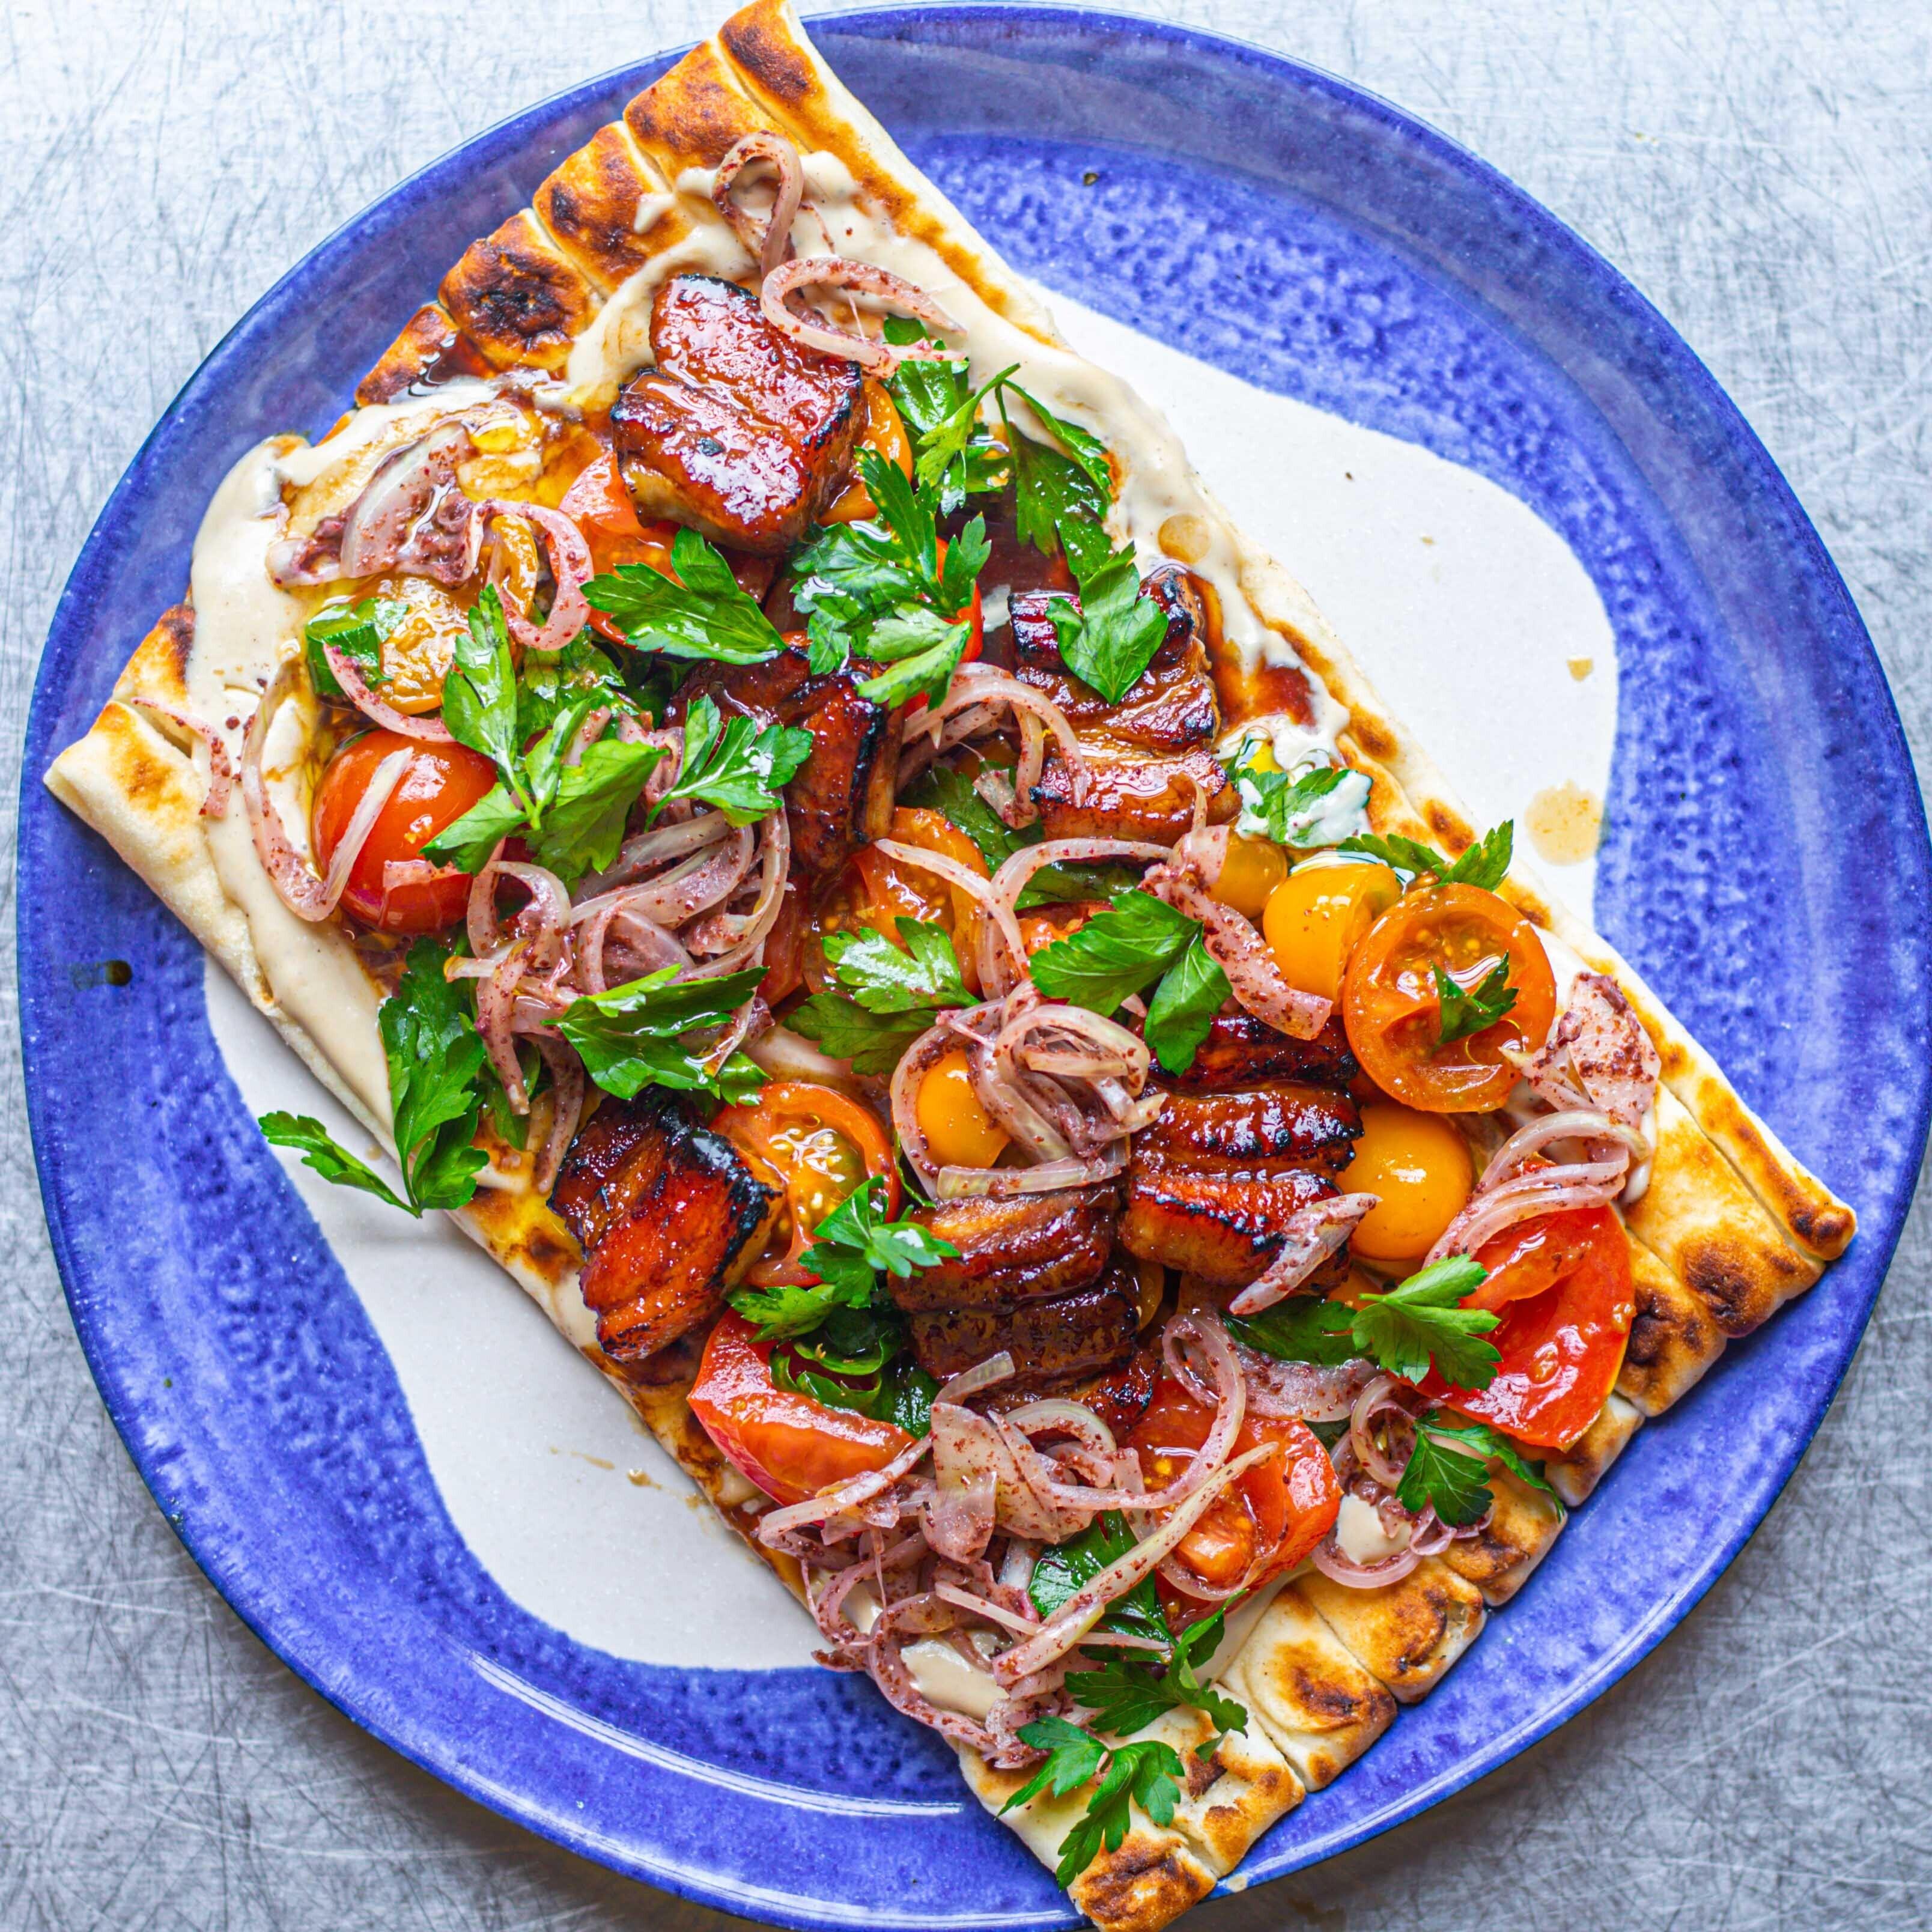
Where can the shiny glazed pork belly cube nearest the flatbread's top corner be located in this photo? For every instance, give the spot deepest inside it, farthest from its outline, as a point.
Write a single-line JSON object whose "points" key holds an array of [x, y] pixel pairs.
{"points": [[739, 432]]}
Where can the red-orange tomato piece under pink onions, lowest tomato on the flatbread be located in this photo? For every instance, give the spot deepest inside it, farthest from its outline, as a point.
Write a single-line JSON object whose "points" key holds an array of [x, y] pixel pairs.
{"points": [[1270, 1520]]}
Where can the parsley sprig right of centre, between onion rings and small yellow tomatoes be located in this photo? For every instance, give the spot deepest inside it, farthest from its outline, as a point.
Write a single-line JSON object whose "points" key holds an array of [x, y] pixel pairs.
{"points": [[1139, 942]]}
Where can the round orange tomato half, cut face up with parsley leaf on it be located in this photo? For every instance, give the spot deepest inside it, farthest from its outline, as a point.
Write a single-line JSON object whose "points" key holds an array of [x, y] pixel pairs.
{"points": [[1394, 1013]]}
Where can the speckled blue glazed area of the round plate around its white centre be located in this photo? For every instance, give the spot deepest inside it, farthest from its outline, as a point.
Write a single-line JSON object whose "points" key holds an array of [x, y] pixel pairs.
{"points": [[1290, 229]]}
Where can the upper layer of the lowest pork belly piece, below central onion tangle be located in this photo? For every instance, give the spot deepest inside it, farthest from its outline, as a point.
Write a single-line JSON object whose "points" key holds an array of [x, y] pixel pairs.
{"points": [[1013, 1251]]}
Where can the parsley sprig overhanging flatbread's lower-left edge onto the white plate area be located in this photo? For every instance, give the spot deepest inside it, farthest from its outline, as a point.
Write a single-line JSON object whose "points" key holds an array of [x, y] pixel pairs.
{"points": [[436, 1058]]}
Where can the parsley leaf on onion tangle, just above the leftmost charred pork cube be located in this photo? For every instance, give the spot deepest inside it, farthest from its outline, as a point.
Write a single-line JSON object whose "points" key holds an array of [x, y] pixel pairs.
{"points": [[639, 1035]]}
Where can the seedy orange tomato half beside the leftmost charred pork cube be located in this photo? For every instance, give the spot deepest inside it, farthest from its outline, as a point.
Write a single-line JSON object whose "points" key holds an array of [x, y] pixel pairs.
{"points": [[816, 1145]]}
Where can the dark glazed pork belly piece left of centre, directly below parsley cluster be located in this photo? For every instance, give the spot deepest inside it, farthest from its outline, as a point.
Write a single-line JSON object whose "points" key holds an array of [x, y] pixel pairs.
{"points": [[843, 795]]}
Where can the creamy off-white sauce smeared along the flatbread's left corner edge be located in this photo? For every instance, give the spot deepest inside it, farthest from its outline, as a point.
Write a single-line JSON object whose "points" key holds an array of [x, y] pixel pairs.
{"points": [[244, 629]]}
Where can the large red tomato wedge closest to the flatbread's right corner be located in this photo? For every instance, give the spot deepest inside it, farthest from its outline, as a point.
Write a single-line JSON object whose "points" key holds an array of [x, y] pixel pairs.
{"points": [[1562, 1286]]}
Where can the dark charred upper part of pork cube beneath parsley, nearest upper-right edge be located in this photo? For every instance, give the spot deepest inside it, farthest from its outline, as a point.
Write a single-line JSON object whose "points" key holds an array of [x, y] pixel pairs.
{"points": [[1170, 710]]}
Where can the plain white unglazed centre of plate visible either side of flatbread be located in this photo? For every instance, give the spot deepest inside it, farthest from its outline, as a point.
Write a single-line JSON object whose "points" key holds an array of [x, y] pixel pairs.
{"points": [[1463, 610]]}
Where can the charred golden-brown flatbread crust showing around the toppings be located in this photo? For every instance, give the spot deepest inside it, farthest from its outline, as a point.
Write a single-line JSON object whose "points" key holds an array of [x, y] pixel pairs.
{"points": [[1730, 1228]]}
